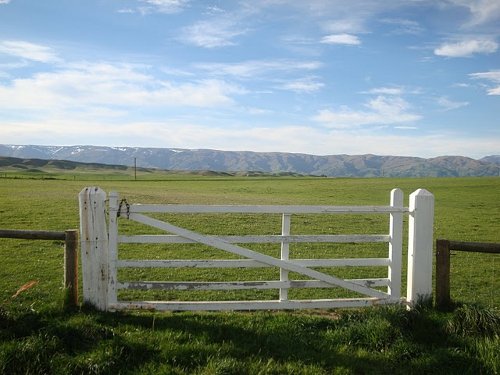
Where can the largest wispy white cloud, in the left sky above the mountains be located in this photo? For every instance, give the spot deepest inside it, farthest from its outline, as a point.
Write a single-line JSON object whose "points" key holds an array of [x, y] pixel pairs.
{"points": [[83, 87]]}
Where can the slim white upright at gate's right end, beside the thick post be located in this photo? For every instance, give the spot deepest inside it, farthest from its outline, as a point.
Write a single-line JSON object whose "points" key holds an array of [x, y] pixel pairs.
{"points": [[395, 245]]}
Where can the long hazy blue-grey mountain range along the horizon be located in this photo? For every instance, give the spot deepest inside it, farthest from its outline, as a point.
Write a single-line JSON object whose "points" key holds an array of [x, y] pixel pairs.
{"points": [[263, 162]]}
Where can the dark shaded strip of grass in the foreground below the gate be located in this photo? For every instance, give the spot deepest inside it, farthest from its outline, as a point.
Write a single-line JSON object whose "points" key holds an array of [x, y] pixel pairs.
{"points": [[372, 341]]}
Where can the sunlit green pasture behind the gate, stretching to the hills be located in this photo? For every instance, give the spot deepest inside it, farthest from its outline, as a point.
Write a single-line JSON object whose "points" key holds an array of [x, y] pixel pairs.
{"points": [[467, 209]]}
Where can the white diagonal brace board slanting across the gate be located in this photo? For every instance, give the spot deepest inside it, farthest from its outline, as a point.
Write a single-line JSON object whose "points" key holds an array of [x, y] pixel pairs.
{"points": [[266, 259]]}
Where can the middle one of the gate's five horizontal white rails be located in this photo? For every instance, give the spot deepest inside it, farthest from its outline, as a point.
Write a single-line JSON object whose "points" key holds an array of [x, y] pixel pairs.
{"points": [[249, 263]]}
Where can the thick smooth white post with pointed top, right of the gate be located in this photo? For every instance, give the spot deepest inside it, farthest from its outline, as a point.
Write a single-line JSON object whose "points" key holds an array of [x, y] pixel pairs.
{"points": [[420, 245]]}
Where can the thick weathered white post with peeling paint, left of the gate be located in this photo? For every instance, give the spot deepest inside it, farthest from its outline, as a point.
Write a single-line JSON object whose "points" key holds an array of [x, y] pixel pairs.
{"points": [[94, 246]]}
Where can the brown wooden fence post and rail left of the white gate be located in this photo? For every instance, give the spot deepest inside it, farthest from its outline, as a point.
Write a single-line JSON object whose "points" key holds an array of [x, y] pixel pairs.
{"points": [[70, 238]]}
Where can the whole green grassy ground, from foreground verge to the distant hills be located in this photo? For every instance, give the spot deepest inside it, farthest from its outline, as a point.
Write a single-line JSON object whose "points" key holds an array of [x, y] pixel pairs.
{"points": [[38, 336]]}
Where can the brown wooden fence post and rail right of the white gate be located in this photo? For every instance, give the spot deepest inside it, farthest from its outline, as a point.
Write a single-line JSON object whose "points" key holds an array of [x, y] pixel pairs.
{"points": [[443, 248]]}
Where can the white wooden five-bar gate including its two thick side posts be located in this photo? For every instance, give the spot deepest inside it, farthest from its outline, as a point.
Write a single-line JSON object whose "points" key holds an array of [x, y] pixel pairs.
{"points": [[100, 262]]}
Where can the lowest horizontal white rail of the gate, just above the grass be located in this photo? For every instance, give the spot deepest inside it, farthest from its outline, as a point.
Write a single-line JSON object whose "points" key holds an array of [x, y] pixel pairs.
{"points": [[249, 305]]}
